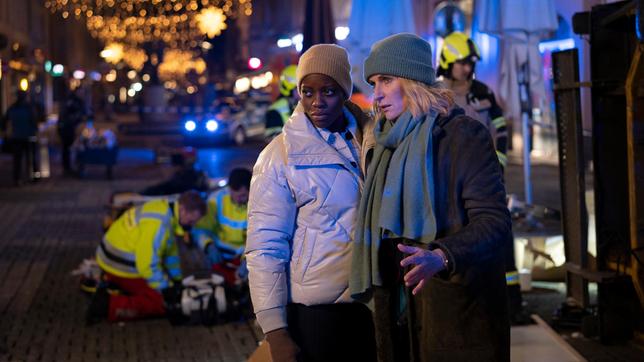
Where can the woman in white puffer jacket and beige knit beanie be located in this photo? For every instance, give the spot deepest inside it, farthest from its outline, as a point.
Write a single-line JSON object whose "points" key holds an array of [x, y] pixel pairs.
{"points": [[301, 214]]}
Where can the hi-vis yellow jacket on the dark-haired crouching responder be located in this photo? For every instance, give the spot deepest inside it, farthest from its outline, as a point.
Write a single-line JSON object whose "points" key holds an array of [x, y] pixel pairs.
{"points": [[225, 225]]}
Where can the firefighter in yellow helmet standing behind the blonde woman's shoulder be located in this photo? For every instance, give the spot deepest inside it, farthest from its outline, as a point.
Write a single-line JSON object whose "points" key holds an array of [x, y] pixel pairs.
{"points": [[458, 58]]}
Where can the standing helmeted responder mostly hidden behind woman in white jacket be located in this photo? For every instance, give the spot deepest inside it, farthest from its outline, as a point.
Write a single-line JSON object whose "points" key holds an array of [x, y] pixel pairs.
{"points": [[279, 112]]}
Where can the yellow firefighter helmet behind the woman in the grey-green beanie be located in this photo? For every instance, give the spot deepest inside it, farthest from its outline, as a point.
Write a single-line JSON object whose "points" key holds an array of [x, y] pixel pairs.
{"points": [[457, 47]]}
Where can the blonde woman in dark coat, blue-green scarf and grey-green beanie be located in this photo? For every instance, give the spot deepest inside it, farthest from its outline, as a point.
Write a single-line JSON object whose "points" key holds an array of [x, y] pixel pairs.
{"points": [[432, 221]]}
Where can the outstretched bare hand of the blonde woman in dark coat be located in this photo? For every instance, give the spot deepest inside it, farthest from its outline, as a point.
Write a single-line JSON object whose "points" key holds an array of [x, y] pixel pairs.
{"points": [[425, 264]]}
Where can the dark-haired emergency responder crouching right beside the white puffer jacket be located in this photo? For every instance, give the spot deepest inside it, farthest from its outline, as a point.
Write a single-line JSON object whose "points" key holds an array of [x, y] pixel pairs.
{"points": [[221, 233]]}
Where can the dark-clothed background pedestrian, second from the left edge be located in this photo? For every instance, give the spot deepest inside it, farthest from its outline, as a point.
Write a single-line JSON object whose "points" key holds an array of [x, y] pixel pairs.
{"points": [[72, 114]]}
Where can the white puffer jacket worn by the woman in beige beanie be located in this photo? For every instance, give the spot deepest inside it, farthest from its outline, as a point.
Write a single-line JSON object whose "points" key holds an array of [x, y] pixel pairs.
{"points": [[304, 198]]}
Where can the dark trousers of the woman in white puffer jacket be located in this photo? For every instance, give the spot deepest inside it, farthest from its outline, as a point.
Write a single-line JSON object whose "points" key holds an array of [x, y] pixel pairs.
{"points": [[332, 332]]}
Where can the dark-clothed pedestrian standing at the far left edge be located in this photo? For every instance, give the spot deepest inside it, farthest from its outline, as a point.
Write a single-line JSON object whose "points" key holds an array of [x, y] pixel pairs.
{"points": [[20, 125]]}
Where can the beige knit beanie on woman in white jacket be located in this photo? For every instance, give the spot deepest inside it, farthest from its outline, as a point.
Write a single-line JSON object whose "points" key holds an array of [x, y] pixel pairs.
{"points": [[328, 59]]}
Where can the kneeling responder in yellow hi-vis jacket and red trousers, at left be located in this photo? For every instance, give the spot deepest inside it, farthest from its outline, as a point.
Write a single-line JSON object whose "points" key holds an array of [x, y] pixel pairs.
{"points": [[140, 256]]}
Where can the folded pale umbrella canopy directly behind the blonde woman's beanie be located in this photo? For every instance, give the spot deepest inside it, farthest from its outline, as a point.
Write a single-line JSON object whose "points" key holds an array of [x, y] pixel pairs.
{"points": [[370, 21]]}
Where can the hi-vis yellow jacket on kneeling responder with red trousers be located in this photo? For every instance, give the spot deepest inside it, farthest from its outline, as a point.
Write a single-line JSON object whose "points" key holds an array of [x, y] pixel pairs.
{"points": [[141, 244]]}
